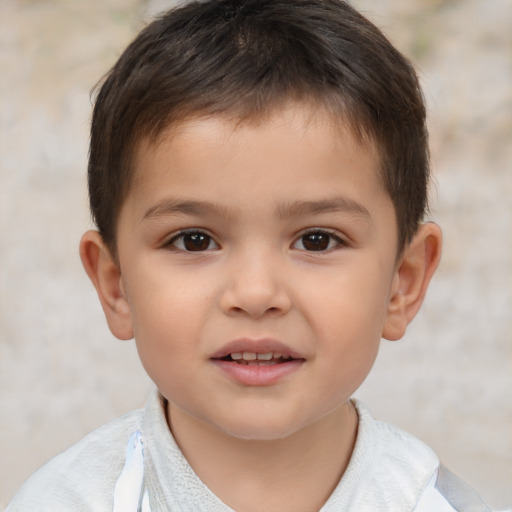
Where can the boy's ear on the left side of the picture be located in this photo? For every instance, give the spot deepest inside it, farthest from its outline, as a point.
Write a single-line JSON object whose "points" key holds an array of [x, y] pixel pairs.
{"points": [[105, 275]]}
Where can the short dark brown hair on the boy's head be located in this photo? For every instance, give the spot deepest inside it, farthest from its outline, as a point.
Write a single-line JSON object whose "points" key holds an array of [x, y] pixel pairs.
{"points": [[244, 58]]}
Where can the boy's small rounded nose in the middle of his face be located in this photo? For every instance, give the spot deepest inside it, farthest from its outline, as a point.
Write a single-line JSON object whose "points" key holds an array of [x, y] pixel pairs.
{"points": [[255, 286]]}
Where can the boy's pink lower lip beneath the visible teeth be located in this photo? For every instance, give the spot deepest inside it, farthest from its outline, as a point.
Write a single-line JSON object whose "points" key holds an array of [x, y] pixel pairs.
{"points": [[253, 375]]}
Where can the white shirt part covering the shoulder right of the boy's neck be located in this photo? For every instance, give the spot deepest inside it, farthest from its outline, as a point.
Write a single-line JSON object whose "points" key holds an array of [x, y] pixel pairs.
{"points": [[392, 470]]}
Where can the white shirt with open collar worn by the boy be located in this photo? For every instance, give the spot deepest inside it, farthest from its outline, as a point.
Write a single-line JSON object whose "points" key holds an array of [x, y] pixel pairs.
{"points": [[136, 459]]}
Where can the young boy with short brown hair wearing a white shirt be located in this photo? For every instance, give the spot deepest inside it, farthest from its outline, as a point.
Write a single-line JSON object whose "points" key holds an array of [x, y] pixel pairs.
{"points": [[258, 174]]}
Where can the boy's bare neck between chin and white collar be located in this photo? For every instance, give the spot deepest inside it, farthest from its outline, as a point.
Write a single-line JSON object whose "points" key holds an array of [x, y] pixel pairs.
{"points": [[294, 473]]}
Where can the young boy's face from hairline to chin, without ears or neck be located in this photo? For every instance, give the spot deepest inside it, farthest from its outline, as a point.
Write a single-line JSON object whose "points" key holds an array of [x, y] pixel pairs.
{"points": [[268, 239]]}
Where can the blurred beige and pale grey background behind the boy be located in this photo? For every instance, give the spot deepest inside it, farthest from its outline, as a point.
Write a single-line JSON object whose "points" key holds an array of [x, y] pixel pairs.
{"points": [[62, 373]]}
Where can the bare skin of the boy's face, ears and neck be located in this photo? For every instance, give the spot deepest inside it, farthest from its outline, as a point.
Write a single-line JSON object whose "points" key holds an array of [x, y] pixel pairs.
{"points": [[259, 195]]}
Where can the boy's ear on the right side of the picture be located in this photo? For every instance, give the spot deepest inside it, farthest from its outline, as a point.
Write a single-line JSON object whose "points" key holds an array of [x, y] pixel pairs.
{"points": [[412, 277]]}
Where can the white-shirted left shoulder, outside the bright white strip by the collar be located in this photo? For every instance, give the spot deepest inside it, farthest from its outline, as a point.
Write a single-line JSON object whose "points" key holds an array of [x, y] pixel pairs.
{"points": [[82, 477]]}
